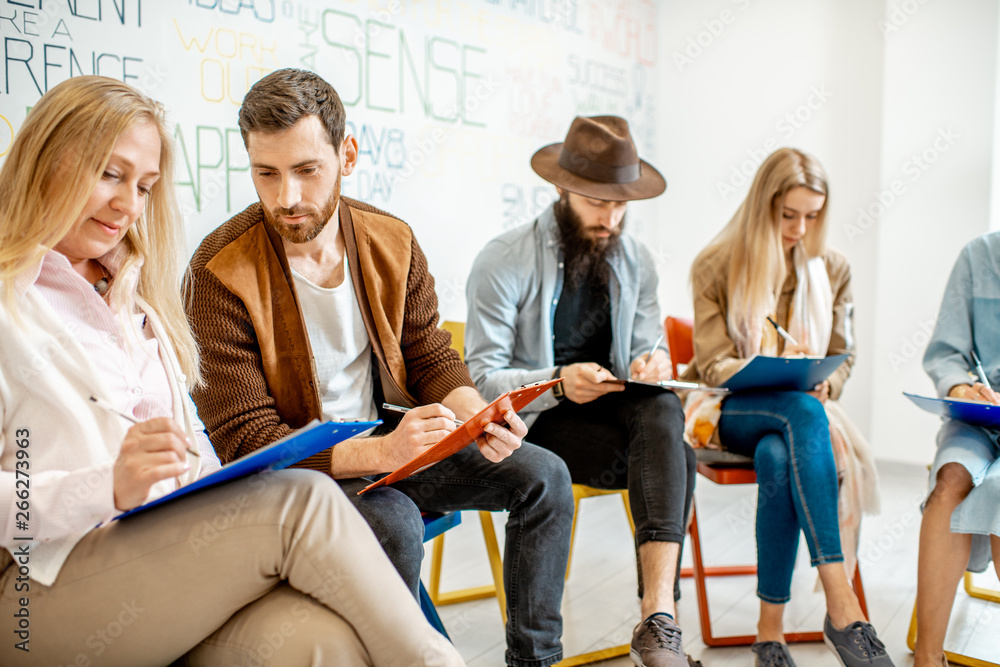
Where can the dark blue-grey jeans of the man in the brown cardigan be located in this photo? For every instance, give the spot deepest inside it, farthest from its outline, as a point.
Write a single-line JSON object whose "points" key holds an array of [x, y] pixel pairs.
{"points": [[534, 485]]}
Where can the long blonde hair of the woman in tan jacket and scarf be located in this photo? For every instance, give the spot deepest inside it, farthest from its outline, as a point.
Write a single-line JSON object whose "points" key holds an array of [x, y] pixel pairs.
{"points": [[750, 246]]}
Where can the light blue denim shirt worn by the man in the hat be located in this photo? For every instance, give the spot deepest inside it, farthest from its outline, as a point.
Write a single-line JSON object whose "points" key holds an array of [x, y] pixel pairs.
{"points": [[512, 294]]}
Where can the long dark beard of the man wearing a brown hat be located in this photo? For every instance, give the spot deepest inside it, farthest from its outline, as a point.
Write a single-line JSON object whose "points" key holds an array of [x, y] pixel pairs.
{"points": [[585, 257]]}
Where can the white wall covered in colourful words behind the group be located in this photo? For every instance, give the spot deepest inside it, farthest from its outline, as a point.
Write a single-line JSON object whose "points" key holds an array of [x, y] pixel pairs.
{"points": [[447, 99]]}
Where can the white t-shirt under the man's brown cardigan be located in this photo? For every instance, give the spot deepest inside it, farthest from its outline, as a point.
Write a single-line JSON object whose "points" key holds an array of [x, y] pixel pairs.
{"points": [[340, 346]]}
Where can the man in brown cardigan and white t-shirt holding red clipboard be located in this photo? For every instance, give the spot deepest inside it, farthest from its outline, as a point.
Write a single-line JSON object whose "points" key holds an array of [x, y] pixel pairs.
{"points": [[309, 305]]}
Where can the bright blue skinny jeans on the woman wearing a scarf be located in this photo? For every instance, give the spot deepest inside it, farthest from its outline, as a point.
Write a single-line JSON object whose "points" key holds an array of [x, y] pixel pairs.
{"points": [[788, 436]]}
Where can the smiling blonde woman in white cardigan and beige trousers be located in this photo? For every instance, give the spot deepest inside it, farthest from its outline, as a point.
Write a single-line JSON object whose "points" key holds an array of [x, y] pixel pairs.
{"points": [[89, 249]]}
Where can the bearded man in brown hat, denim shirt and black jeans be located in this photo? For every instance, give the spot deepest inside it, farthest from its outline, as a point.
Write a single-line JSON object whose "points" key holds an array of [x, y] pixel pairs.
{"points": [[571, 295]]}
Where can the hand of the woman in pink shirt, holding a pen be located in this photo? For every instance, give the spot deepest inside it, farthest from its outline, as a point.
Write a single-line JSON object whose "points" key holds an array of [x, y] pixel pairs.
{"points": [[152, 451]]}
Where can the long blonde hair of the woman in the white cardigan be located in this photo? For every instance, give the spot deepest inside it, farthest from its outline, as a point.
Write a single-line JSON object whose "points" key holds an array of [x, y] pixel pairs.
{"points": [[49, 174]]}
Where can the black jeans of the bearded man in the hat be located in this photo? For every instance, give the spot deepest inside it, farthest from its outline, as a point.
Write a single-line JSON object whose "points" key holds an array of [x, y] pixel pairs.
{"points": [[632, 439]]}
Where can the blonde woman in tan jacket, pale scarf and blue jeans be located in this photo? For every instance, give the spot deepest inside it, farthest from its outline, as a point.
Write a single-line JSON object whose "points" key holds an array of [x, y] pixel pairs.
{"points": [[771, 261]]}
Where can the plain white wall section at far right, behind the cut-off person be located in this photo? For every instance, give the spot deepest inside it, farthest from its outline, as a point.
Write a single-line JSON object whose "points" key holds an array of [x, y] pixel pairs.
{"points": [[937, 149]]}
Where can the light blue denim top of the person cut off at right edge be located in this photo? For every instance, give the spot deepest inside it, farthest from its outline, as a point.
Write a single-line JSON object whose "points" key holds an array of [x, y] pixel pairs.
{"points": [[969, 316]]}
